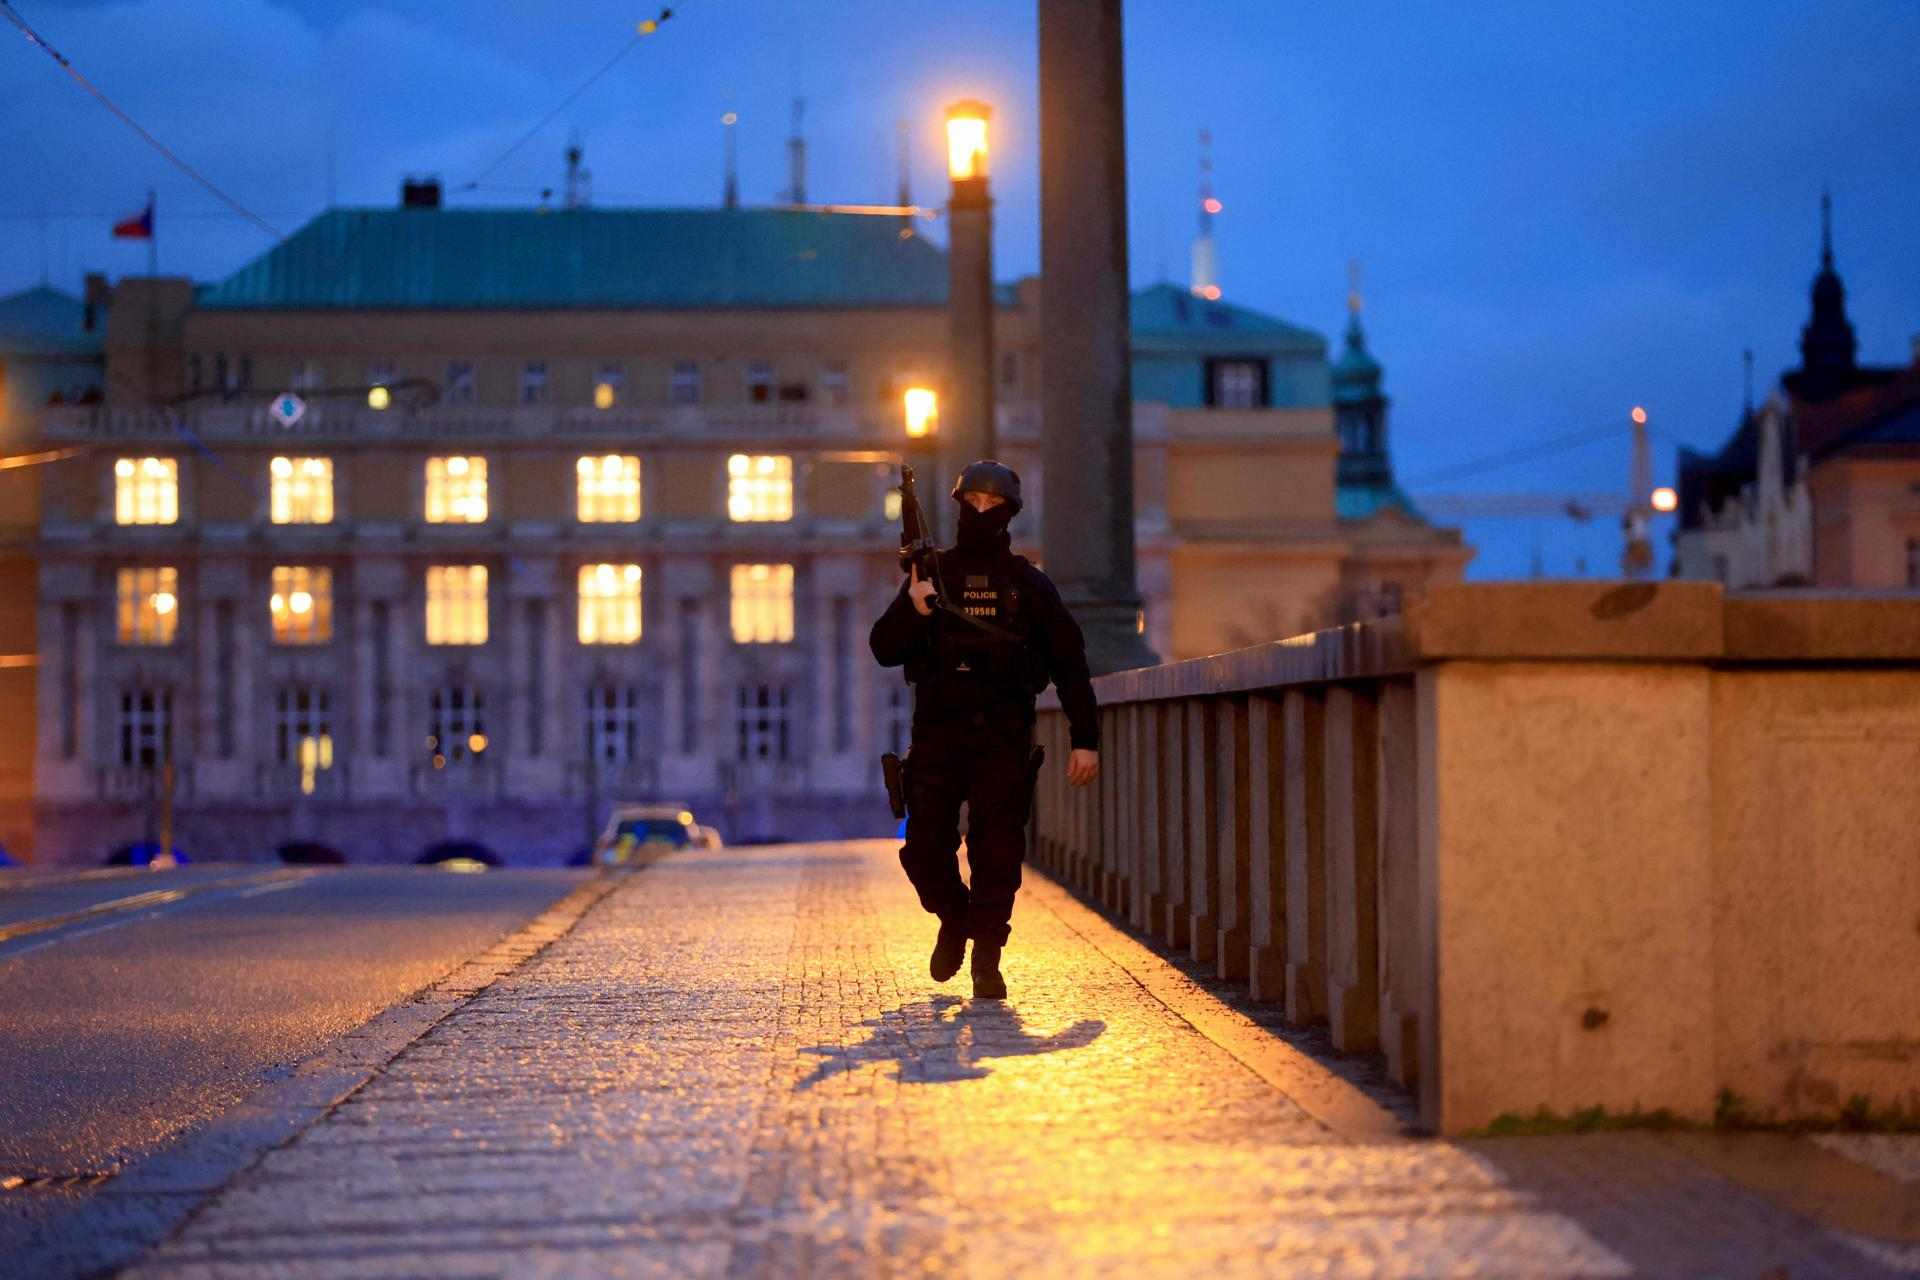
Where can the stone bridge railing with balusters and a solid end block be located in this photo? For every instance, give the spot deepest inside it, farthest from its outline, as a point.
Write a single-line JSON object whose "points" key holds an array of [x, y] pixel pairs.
{"points": [[1545, 845]]}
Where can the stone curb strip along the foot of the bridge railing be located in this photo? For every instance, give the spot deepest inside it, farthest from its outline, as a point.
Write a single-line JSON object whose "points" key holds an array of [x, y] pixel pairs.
{"points": [[1312, 1087]]}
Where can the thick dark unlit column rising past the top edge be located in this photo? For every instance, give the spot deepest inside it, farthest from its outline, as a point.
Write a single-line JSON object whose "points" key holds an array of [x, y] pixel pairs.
{"points": [[1086, 375]]}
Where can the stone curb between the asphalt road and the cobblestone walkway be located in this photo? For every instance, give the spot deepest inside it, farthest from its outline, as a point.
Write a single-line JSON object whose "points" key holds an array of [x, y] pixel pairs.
{"points": [[160, 1197]]}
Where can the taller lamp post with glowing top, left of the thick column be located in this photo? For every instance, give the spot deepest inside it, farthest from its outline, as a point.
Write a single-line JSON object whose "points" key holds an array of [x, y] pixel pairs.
{"points": [[967, 415]]}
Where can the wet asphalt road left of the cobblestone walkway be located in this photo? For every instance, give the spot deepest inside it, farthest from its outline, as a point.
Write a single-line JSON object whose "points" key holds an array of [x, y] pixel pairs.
{"points": [[139, 1007]]}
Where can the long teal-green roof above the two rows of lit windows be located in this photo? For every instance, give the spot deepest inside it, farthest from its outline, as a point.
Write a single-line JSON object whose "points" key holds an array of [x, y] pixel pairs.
{"points": [[590, 258]]}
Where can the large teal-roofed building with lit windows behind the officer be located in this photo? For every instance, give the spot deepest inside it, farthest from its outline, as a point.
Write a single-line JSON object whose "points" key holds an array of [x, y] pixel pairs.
{"points": [[473, 523]]}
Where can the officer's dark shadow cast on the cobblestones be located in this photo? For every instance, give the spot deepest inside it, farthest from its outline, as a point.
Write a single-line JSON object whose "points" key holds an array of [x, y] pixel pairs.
{"points": [[944, 1039]]}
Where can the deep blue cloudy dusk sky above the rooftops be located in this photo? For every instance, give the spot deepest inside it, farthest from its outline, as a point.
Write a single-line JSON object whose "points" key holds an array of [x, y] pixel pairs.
{"points": [[1558, 218]]}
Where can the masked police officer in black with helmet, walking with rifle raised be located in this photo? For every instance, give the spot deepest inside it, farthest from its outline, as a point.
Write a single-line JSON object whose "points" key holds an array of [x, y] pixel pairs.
{"points": [[999, 638]]}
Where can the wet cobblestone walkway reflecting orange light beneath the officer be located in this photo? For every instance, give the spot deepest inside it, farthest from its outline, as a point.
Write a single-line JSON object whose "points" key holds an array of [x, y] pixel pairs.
{"points": [[736, 1066]]}
